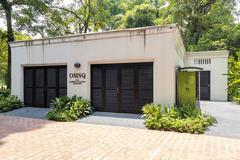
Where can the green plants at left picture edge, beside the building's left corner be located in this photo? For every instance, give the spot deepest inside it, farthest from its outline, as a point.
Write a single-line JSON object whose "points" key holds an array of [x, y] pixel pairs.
{"points": [[9, 102]]}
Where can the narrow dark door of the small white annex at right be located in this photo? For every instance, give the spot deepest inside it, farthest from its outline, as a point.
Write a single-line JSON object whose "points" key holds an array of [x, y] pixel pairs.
{"points": [[204, 85]]}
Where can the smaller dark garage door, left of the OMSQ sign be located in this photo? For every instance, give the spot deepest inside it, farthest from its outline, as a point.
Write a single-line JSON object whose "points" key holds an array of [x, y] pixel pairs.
{"points": [[43, 84]]}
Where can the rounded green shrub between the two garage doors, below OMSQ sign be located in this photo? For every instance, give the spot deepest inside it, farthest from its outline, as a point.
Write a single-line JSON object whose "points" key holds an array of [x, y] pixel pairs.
{"points": [[69, 109]]}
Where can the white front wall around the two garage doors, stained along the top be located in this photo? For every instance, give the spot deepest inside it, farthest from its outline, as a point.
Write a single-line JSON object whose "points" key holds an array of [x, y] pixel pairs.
{"points": [[153, 44]]}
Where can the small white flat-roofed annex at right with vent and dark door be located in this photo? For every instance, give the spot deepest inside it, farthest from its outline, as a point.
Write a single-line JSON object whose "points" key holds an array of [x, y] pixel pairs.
{"points": [[214, 78]]}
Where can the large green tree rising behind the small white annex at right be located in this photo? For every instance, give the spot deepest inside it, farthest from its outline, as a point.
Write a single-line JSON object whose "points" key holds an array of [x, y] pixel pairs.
{"points": [[205, 24]]}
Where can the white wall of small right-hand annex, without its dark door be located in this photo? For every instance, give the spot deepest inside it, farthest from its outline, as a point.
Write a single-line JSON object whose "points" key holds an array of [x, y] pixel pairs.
{"points": [[218, 67]]}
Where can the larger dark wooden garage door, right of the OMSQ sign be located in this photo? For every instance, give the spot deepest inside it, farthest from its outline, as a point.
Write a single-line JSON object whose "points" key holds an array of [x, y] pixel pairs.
{"points": [[121, 87]]}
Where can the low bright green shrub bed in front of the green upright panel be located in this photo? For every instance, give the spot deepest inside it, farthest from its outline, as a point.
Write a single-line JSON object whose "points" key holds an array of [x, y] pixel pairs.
{"points": [[180, 119]]}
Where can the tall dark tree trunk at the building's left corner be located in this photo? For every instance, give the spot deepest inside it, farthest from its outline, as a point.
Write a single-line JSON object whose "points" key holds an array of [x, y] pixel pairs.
{"points": [[10, 36]]}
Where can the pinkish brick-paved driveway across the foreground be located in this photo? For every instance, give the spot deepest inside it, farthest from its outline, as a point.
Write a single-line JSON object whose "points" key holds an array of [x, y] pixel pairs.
{"points": [[33, 139]]}
